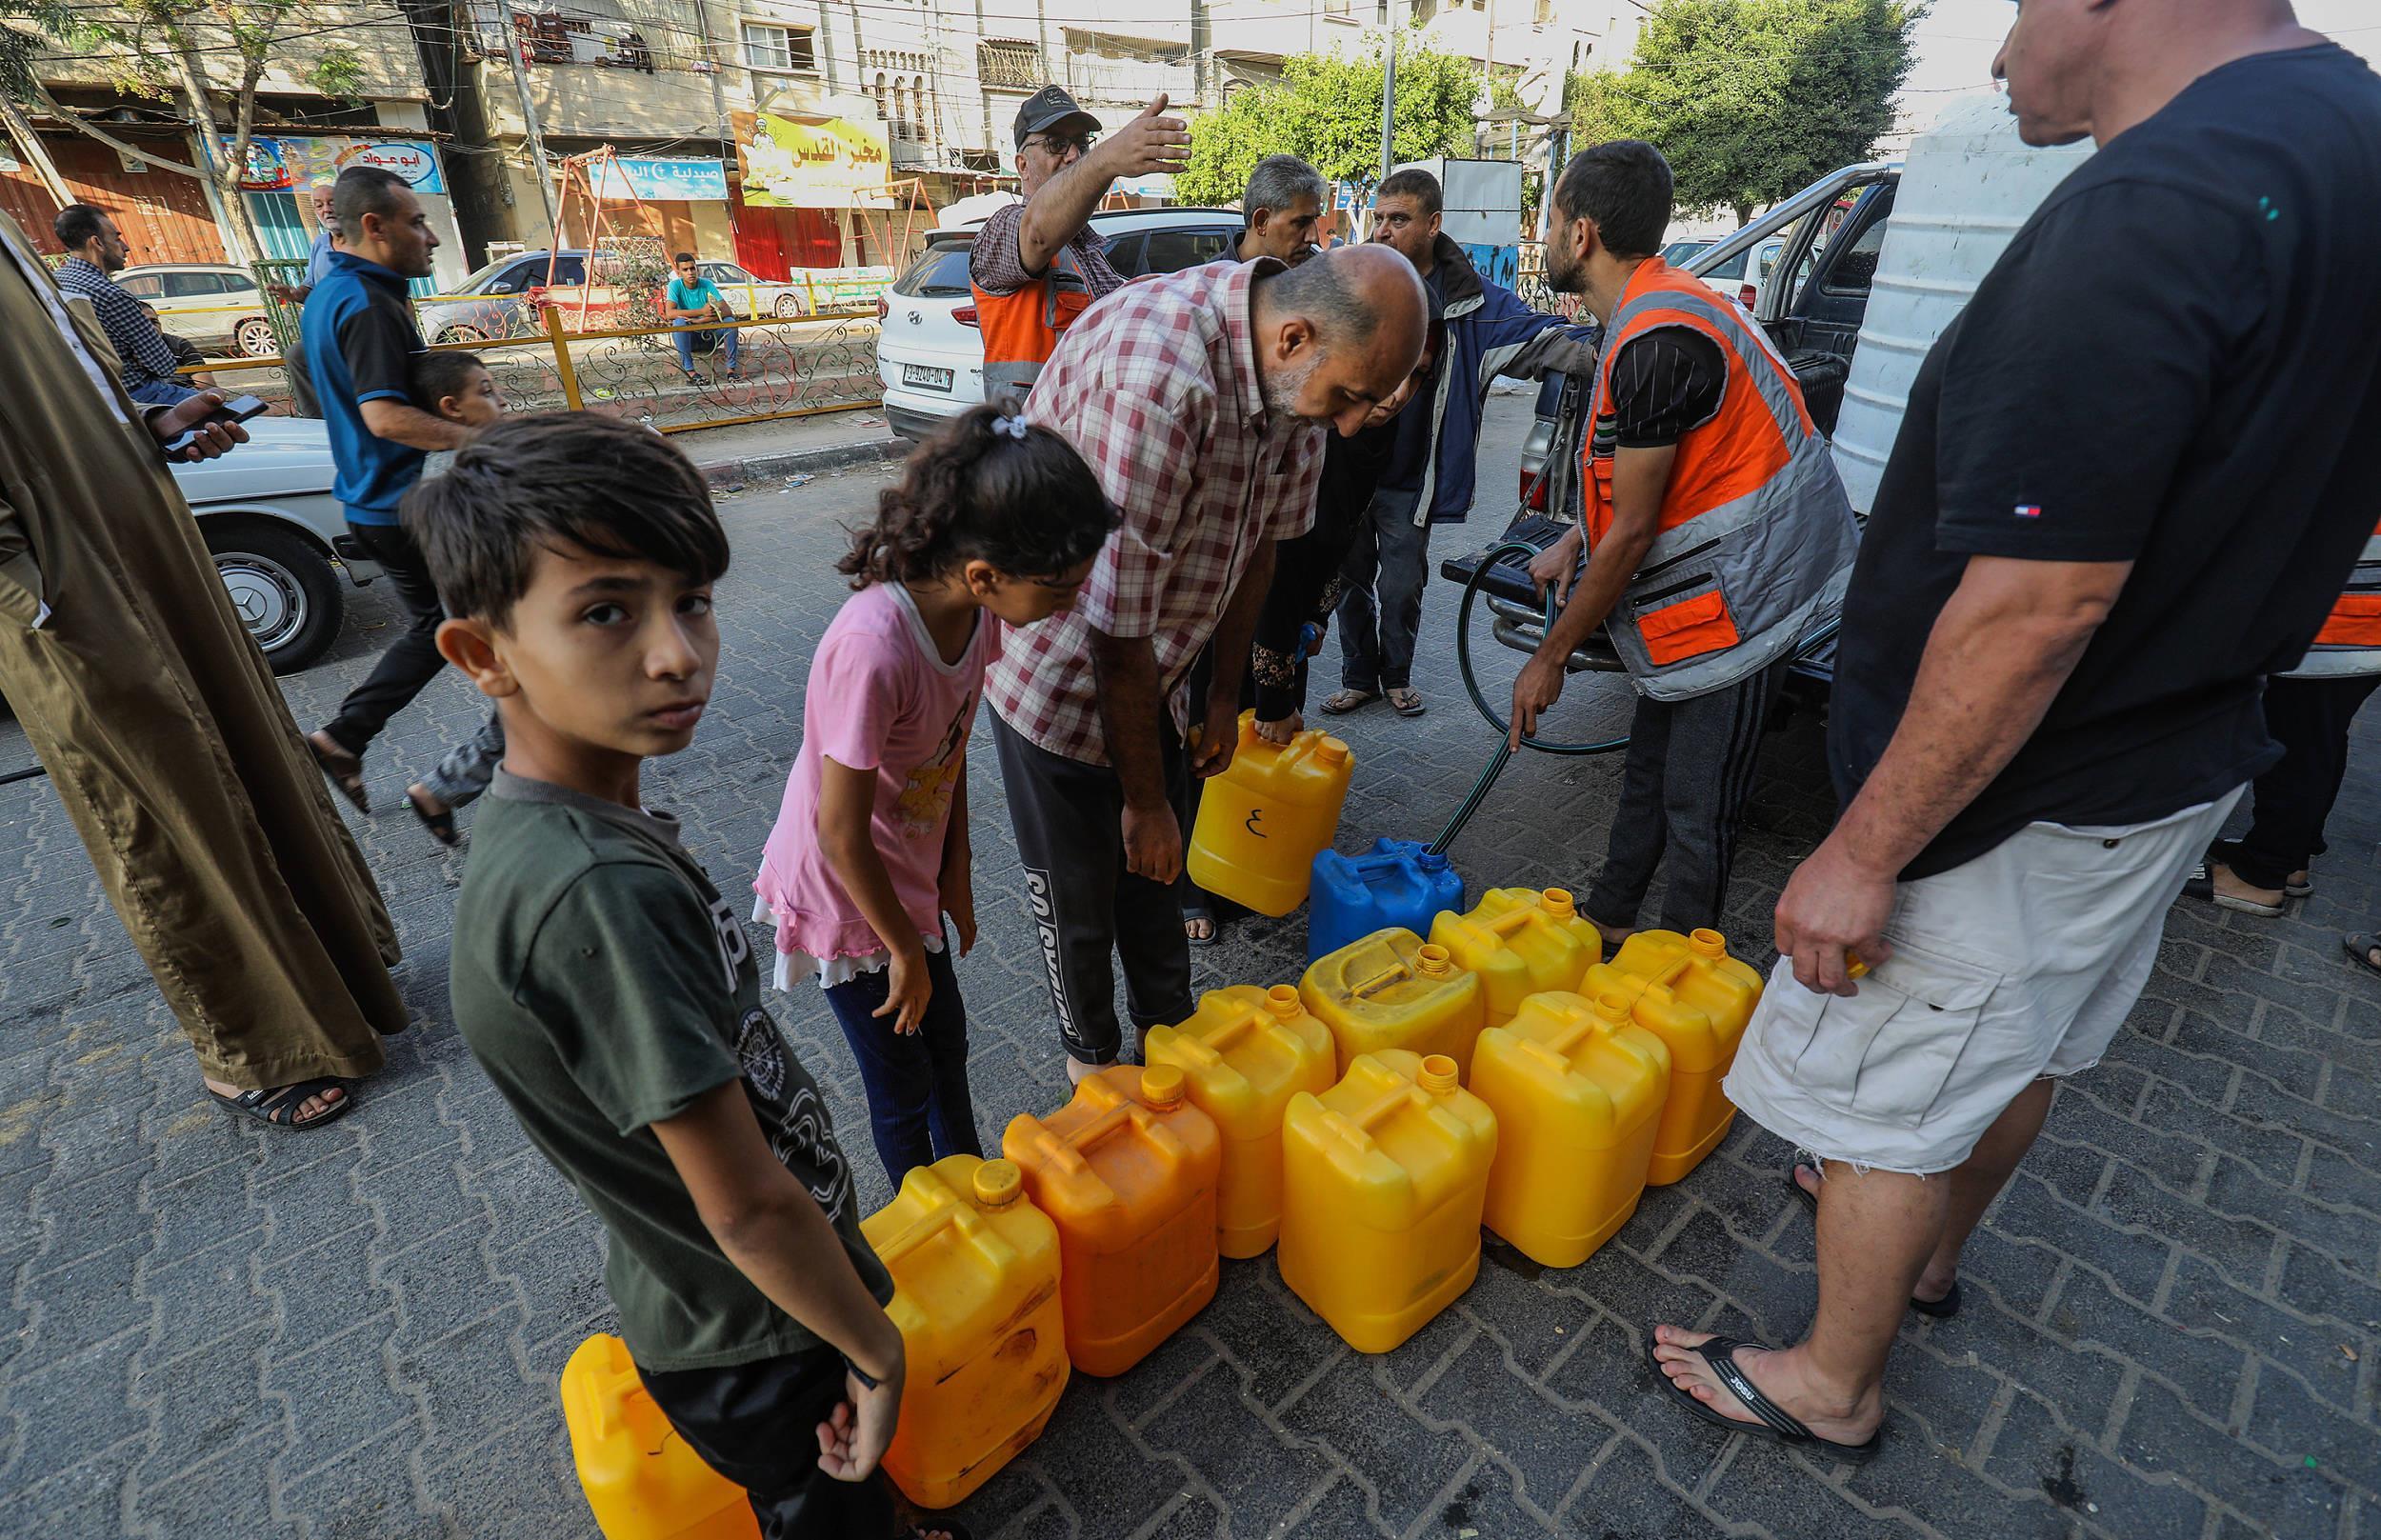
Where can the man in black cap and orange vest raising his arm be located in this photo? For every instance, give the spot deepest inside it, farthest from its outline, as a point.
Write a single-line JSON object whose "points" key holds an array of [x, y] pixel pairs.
{"points": [[1037, 265]]}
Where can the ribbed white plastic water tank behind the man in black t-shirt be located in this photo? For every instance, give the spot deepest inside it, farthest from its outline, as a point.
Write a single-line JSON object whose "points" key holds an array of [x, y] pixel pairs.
{"points": [[1968, 187]]}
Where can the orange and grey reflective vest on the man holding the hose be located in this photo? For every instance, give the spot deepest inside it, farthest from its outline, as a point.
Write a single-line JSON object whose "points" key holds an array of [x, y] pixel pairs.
{"points": [[1756, 537]]}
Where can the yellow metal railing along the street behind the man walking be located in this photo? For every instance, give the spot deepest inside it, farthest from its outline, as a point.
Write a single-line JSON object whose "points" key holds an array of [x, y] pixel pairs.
{"points": [[787, 368]]}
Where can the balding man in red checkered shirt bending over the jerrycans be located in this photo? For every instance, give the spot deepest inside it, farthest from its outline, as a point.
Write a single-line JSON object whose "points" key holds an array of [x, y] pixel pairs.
{"points": [[1201, 403]]}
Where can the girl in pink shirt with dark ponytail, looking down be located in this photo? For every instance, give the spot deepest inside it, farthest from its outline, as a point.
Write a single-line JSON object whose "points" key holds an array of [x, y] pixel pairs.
{"points": [[992, 522]]}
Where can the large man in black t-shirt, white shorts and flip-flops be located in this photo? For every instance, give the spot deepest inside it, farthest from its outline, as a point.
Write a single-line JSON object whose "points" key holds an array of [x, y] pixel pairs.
{"points": [[2130, 484]]}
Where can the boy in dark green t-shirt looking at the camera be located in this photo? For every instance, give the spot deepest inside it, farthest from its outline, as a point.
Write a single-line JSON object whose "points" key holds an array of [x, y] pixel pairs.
{"points": [[611, 991]]}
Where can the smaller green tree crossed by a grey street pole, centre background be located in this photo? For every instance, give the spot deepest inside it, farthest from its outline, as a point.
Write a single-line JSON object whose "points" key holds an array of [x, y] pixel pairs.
{"points": [[1327, 108]]}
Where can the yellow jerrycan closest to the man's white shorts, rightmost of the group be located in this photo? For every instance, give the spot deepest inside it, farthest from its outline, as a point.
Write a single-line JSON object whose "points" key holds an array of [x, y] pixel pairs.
{"points": [[1699, 1001]]}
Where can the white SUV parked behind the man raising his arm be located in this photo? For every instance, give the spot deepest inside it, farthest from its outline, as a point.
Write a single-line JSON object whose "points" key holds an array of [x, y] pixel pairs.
{"points": [[930, 353]]}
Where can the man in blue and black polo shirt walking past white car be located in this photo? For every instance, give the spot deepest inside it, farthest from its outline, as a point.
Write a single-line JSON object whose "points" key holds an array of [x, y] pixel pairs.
{"points": [[361, 339]]}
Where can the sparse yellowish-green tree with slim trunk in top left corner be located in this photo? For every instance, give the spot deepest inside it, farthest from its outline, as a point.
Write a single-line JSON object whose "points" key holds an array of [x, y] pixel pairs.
{"points": [[206, 58]]}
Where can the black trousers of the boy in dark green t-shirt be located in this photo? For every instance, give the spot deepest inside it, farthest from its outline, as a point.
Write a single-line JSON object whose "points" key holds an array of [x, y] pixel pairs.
{"points": [[756, 1425]]}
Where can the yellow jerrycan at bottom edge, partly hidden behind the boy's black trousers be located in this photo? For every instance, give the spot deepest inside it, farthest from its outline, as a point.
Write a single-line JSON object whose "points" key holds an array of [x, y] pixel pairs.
{"points": [[642, 1479]]}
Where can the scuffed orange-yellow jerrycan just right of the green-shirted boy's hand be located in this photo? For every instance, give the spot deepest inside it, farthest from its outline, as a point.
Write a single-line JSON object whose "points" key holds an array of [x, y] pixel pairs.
{"points": [[975, 1296]]}
